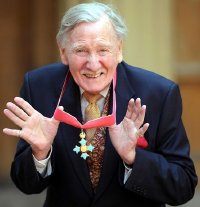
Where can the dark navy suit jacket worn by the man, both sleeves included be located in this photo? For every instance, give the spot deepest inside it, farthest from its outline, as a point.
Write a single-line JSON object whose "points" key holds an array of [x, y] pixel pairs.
{"points": [[162, 173]]}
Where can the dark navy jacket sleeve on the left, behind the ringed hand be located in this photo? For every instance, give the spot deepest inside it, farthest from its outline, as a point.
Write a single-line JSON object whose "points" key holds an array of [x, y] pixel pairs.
{"points": [[23, 170]]}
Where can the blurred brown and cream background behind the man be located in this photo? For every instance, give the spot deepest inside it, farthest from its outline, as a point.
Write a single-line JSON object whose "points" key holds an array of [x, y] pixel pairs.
{"points": [[163, 36]]}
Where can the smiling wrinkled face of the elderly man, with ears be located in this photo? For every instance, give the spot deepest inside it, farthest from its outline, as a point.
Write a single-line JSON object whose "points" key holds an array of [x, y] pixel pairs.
{"points": [[92, 52]]}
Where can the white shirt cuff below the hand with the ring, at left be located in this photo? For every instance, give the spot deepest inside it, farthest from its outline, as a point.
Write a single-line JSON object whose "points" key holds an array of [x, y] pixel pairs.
{"points": [[43, 166]]}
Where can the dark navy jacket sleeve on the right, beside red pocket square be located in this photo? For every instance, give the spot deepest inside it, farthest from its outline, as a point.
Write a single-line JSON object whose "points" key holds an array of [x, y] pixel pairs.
{"points": [[166, 172]]}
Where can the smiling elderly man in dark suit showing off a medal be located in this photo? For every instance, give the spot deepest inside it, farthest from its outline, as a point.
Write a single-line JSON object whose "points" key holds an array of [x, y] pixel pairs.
{"points": [[100, 147]]}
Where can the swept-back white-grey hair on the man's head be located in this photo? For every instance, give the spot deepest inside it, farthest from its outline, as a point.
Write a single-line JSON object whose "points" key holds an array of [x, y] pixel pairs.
{"points": [[90, 12]]}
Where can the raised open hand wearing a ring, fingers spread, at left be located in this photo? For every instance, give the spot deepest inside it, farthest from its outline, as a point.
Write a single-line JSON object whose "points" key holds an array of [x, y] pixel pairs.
{"points": [[37, 130]]}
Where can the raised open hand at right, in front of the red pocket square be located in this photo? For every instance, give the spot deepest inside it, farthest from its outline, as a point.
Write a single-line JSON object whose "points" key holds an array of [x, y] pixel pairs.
{"points": [[124, 135]]}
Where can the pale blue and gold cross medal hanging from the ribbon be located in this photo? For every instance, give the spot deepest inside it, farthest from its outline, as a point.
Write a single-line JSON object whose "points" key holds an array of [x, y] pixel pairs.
{"points": [[83, 148]]}
